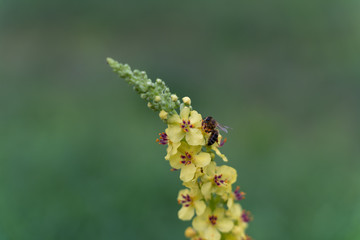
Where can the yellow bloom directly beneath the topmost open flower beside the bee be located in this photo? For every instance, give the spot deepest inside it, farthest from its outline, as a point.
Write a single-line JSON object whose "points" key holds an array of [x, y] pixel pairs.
{"points": [[188, 158]]}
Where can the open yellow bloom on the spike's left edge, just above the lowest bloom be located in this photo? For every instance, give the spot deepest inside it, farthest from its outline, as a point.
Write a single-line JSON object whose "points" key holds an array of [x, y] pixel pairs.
{"points": [[191, 200]]}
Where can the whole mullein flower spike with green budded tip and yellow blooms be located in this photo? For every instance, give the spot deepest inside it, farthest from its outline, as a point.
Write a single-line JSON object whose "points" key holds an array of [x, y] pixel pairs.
{"points": [[208, 199]]}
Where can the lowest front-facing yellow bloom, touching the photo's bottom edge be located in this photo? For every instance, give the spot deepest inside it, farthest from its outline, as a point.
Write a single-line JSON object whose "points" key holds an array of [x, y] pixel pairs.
{"points": [[211, 223]]}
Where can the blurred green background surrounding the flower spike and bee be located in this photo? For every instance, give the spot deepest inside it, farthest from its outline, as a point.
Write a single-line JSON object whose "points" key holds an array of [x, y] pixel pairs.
{"points": [[78, 157]]}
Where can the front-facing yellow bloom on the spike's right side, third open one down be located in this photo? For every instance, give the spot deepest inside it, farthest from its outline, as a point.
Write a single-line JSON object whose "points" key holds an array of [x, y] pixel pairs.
{"points": [[218, 181]]}
